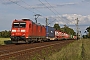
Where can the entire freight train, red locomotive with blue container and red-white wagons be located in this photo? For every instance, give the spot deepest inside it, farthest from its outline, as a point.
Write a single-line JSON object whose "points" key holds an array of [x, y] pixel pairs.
{"points": [[26, 31]]}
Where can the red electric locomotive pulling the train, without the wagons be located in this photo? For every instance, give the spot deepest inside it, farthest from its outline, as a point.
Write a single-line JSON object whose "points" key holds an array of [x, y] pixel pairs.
{"points": [[25, 31]]}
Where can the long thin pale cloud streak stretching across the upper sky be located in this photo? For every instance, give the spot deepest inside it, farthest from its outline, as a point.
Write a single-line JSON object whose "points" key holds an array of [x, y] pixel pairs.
{"points": [[46, 5]]}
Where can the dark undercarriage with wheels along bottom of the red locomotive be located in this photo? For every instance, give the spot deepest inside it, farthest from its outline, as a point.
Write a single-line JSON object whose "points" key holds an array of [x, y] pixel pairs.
{"points": [[22, 39]]}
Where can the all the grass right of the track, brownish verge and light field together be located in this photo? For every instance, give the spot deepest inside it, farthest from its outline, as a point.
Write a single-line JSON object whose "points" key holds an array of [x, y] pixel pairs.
{"points": [[77, 50]]}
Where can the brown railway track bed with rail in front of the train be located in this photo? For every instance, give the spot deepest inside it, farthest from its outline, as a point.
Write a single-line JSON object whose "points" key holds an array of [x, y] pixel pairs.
{"points": [[17, 51]]}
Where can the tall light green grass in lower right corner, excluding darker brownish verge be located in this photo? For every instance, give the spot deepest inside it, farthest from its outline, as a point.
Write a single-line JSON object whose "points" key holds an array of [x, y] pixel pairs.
{"points": [[78, 50]]}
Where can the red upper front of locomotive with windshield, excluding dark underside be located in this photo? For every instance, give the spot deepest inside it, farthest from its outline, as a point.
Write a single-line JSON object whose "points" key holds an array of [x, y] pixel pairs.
{"points": [[18, 29]]}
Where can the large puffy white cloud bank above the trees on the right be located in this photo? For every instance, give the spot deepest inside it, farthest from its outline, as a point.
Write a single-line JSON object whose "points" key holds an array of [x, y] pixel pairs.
{"points": [[70, 19]]}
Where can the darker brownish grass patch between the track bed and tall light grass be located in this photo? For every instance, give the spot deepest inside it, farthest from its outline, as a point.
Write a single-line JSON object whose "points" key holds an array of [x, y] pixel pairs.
{"points": [[43, 54]]}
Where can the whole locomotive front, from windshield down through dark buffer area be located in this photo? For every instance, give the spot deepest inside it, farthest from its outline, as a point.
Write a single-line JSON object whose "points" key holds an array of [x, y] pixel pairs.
{"points": [[18, 31]]}
